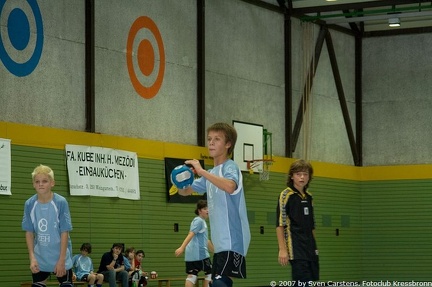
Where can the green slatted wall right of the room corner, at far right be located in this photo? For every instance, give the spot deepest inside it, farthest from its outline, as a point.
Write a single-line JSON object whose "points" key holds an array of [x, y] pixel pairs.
{"points": [[396, 238]]}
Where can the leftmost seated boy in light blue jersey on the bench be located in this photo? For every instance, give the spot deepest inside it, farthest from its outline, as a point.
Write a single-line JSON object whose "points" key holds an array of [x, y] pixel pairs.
{"points": [[83, 267]]}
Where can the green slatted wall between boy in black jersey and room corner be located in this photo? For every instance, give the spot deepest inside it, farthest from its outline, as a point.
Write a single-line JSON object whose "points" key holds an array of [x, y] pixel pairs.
{"points": [[338, 228]]}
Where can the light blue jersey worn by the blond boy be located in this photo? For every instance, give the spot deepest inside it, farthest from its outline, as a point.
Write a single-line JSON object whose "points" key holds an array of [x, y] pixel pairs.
{"points": [[47, 221]]}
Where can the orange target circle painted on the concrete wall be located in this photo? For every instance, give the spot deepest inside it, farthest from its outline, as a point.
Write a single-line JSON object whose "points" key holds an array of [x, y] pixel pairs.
{"points": [[145, 57]]}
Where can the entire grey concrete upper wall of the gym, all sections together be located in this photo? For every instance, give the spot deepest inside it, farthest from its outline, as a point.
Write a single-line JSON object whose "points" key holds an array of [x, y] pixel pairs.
{"points": [[244, 77]]}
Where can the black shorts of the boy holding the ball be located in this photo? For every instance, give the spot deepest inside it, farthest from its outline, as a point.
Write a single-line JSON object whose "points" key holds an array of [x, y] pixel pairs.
{"points": [[230, 264]]}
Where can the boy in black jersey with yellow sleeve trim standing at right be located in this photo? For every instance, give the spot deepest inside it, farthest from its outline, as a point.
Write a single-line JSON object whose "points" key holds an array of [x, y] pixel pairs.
{"points": [[295, 226]]}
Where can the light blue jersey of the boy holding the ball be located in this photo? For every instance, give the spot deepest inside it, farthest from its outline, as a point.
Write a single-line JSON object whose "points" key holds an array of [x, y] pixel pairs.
{"points": [[227, 212]]}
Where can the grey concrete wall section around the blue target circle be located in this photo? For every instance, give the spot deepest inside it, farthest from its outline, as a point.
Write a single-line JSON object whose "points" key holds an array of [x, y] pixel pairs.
{"points": [[52, 94]]}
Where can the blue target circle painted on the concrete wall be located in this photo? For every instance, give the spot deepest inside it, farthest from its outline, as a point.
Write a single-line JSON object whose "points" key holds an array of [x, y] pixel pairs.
{"points": [[19, 35]]}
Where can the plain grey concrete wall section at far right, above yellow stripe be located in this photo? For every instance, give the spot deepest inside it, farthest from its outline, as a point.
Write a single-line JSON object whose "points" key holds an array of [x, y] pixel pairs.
{"points": [[397, 100]]}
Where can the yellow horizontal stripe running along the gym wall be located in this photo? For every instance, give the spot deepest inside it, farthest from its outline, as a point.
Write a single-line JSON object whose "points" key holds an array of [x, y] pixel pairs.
{"points": [[28, 135]]}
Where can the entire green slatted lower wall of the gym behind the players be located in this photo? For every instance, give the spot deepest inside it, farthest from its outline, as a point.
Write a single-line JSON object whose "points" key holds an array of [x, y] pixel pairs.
{"points": [[373, 230]]}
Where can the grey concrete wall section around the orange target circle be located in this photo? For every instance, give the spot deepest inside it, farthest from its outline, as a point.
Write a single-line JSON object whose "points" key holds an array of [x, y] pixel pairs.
{"points": [[120, 110]]}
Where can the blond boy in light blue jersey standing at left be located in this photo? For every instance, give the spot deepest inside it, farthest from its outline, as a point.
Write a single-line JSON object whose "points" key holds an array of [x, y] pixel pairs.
{"points": [[47, 223]]}
